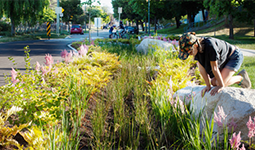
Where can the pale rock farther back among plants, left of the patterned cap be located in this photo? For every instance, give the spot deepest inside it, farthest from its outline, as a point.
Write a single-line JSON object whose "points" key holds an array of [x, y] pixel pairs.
{"points": [[147, 44]]}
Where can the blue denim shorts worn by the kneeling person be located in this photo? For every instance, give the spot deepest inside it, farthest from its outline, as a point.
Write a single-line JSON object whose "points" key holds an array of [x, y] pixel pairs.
{"points": [[235, 60]]}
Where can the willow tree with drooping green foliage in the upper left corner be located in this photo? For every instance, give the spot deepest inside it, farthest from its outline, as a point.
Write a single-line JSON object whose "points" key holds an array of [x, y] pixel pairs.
{"points": [[26, 10]]}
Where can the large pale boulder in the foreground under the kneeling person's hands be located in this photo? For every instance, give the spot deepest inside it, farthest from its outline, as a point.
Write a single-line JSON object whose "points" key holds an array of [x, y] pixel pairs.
{"points": [[237, 103]]}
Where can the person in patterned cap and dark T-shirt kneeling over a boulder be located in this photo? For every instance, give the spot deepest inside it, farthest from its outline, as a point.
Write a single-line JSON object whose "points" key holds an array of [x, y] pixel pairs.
{"points": [[217, 61]]}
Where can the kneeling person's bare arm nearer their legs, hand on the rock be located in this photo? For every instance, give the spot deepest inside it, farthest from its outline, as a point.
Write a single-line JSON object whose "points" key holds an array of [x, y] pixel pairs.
{"points": [[217, 75]]}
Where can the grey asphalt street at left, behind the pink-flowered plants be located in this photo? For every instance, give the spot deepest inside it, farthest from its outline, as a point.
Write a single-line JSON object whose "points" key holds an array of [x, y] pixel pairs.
{"points": [[38, 49]]}
